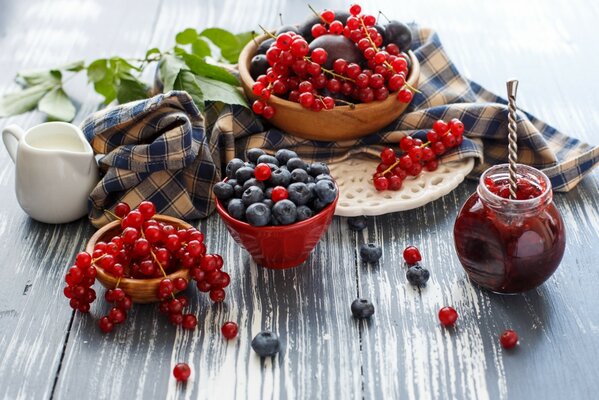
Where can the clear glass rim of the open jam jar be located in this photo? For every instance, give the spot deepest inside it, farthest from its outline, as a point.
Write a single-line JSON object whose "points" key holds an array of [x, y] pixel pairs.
{"points": [[522, 170]]}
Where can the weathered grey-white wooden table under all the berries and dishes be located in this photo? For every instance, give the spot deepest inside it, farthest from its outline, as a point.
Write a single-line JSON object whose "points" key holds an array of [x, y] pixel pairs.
{"points": [[47, 351]]}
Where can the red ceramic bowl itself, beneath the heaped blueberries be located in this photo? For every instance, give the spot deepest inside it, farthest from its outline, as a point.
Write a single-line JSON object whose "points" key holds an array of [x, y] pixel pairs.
{"points": [[283, 246]]}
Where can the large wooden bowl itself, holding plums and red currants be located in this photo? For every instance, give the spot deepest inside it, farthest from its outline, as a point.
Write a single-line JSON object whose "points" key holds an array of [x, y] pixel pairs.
{"points": [[340, 123]]}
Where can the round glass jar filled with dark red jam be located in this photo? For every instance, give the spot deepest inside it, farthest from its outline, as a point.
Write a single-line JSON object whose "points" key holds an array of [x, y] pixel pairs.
{"points": [[510, 245]]}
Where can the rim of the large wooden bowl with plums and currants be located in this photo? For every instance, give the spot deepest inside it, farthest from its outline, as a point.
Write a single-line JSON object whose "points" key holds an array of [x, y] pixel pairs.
{"points": [[246, 79]]}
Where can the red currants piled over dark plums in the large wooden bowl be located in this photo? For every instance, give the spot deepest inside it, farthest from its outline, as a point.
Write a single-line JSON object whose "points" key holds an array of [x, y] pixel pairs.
{"points": [[299, 76]]}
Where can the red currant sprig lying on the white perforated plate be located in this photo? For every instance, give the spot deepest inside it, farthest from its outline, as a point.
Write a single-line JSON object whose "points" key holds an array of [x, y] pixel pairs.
{"points": [[393, 169]]}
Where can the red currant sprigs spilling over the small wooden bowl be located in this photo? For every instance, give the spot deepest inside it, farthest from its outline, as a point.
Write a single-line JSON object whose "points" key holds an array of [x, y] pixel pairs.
{"points": [[146, 248]]}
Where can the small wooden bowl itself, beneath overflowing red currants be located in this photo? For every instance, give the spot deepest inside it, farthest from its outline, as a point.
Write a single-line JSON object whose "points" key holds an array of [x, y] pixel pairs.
{"points": [[140, 290]]}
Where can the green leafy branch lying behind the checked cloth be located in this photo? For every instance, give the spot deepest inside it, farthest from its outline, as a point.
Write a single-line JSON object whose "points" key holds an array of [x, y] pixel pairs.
{"points": [[194, 65]]}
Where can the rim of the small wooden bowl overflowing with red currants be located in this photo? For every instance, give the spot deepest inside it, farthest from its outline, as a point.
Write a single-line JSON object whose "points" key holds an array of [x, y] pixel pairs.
{"points": [[105, 277]]}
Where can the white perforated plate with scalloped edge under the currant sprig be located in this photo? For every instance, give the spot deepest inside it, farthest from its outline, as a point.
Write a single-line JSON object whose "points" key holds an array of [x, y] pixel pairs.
{"points": [[359, 197]]}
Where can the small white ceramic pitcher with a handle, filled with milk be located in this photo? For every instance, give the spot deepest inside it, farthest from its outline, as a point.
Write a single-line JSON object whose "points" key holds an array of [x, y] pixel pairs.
{"points": [[55, 170]]}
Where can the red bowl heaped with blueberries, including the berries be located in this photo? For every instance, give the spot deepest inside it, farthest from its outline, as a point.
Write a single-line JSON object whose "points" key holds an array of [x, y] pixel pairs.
{"points": [[276, 206]]}
